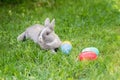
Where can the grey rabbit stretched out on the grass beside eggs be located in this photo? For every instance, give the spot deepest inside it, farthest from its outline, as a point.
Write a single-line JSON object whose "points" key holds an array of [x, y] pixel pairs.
{"points": [[43, 35]]}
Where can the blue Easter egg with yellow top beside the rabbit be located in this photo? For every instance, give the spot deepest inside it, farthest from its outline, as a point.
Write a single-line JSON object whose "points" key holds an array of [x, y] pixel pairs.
{"points": [[66, 47]]}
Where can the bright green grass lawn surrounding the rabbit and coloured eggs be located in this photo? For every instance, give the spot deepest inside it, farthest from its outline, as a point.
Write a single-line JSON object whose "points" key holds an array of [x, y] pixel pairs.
{"points": [[84, 23]]}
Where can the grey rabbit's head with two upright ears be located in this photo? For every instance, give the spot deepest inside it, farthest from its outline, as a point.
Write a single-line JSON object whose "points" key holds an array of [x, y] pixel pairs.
{"points": [[47, 33]]}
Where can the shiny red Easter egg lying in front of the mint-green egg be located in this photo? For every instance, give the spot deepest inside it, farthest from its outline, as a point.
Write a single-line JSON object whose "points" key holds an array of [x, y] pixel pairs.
{"points": [[88, 55]]}
